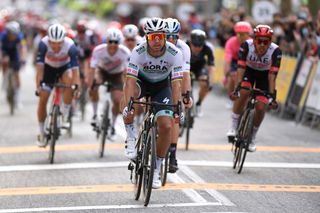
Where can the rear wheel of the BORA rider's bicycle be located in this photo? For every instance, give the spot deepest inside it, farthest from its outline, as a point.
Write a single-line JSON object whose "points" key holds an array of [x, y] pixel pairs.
{"points": [[138, 170]]}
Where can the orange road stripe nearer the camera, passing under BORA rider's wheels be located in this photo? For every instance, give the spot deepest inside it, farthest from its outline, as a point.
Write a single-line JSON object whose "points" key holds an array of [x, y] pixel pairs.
{"points": [[168, 187]]}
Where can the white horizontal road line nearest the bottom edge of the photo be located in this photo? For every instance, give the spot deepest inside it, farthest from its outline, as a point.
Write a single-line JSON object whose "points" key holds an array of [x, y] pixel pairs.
{"points": [[105, 207]]}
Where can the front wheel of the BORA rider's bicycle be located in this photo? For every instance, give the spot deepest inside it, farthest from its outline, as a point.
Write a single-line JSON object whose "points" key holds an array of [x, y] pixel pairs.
{"points": [[149, 162]]}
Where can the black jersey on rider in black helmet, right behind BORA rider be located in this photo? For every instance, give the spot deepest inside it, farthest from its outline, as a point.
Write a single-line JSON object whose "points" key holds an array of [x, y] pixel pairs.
{"points": [[205, 57]]}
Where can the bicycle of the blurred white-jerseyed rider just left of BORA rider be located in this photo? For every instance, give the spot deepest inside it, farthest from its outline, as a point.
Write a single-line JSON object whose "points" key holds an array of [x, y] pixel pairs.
{"points": [[103, 127]]}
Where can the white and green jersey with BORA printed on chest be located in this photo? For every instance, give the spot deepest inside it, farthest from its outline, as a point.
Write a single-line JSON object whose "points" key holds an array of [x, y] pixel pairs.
{"points": [[143, 65]]}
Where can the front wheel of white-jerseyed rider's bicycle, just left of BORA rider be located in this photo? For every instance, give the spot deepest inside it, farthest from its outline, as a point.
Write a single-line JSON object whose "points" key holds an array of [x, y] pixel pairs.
{"points": [[105, 123]]}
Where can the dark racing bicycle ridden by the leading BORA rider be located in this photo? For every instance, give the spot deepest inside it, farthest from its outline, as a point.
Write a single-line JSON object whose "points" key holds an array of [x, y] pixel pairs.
{"points": [[142, 168]]}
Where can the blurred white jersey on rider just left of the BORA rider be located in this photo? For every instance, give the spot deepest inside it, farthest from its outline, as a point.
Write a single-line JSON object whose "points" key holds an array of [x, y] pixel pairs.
{"points": [[112, 64]]}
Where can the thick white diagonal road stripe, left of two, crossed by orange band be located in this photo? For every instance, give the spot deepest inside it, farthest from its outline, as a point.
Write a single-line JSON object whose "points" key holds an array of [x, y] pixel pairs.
{"points": [[215, 194]]}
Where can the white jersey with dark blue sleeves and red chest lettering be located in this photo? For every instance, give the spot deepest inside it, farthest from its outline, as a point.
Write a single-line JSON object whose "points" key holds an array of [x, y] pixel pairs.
{"points": [[66, 56]]}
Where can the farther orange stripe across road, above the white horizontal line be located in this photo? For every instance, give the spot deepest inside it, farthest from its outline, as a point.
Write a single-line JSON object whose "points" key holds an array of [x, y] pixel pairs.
{"points": [[117, 146]]}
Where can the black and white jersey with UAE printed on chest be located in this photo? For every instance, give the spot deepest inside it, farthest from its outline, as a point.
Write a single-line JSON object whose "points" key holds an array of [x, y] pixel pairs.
{"points": [[270, 61]]}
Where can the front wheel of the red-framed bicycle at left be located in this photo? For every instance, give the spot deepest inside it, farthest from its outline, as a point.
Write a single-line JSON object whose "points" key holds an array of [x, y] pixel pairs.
{"points": [[54, 133]]}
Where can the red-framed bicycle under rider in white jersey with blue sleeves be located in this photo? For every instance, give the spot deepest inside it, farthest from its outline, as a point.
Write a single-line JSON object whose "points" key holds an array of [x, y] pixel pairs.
{"points": [[53, 122]]}
